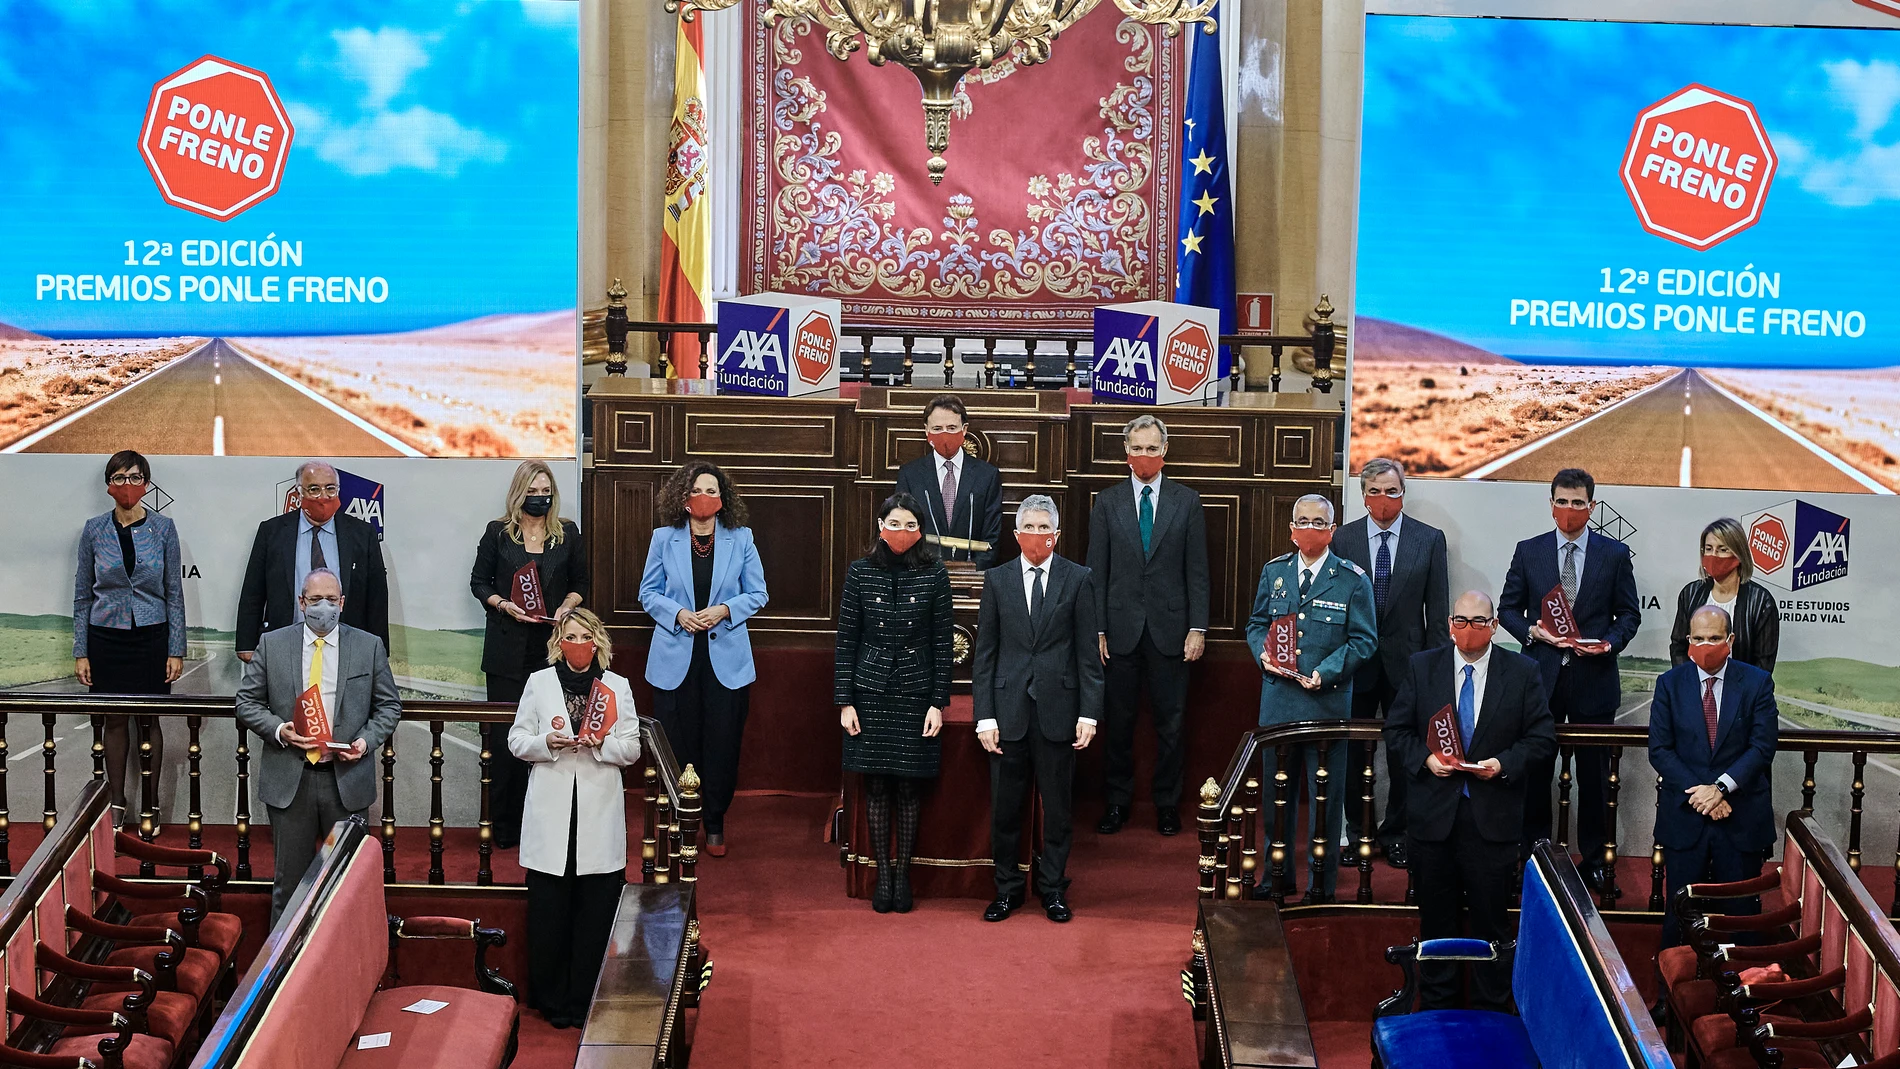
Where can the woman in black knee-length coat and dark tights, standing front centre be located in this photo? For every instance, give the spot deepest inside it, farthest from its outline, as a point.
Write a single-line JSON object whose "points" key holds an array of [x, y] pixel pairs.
{"points": [[894, 683]]}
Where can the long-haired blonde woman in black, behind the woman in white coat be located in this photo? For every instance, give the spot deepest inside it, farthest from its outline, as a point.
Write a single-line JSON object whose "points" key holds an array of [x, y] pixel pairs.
{"points": [[531, 571]]}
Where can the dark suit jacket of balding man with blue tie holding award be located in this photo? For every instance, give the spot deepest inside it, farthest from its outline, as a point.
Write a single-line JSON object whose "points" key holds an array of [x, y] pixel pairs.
{"points": [[1513, 726]]}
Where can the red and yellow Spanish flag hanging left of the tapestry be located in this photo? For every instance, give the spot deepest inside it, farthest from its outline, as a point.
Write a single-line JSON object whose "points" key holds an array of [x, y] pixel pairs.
{"points": [[687, 231]]}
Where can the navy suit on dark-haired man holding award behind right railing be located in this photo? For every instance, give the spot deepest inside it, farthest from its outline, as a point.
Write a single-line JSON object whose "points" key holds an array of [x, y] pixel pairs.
{"points": [[1582, 688]]}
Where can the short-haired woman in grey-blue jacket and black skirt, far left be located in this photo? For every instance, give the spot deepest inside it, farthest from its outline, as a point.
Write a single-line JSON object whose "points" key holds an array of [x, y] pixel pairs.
{"points": [[128, 612]]}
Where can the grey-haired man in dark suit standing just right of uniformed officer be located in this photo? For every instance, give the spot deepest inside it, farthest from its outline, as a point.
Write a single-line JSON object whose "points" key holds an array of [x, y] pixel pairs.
{"points": [[1411, 584]]}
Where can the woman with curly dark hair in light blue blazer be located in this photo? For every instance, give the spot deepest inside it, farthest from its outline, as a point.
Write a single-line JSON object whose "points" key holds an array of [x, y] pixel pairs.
{"points": [[702, 584]]}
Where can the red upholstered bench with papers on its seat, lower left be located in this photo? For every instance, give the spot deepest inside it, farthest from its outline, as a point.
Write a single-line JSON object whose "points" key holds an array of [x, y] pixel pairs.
{"points": [[318, 986]]}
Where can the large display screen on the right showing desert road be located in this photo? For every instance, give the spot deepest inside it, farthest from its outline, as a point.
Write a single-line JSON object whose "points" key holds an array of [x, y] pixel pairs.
{"points": [[1656, 252]]}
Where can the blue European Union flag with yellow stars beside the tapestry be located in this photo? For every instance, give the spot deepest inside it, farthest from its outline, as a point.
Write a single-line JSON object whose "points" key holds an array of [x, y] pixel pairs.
{"points": [[1204, 250]]}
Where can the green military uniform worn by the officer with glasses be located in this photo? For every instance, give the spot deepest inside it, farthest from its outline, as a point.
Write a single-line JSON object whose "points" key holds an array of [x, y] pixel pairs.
{"points": [[1337, 633]]}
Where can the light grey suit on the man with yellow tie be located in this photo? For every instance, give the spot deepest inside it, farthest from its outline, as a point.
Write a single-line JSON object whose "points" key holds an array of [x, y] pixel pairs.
{"points": [[307, 800]]}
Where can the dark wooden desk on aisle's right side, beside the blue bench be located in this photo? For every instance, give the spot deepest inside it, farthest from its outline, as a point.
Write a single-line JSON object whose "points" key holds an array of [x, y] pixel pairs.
{"points": [[1245, 981]]}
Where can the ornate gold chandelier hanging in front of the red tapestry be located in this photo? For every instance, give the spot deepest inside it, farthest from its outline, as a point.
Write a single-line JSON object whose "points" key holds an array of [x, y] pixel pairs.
{"points": [[943, 41]]}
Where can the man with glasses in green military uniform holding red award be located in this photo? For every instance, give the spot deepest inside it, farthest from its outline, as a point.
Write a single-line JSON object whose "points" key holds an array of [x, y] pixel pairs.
{"points": [[1327, 605]]}
